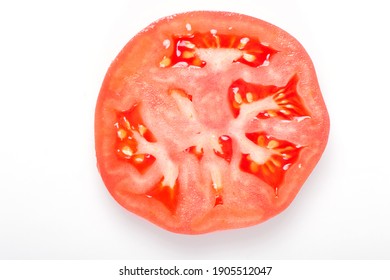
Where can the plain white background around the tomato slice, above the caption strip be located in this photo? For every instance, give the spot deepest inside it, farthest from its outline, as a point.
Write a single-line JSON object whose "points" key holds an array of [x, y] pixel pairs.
{"points": [[53, 204]]}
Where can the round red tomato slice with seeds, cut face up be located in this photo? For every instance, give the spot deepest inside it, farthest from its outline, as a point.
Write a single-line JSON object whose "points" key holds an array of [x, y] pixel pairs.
{"points": [[209, 121]]}
